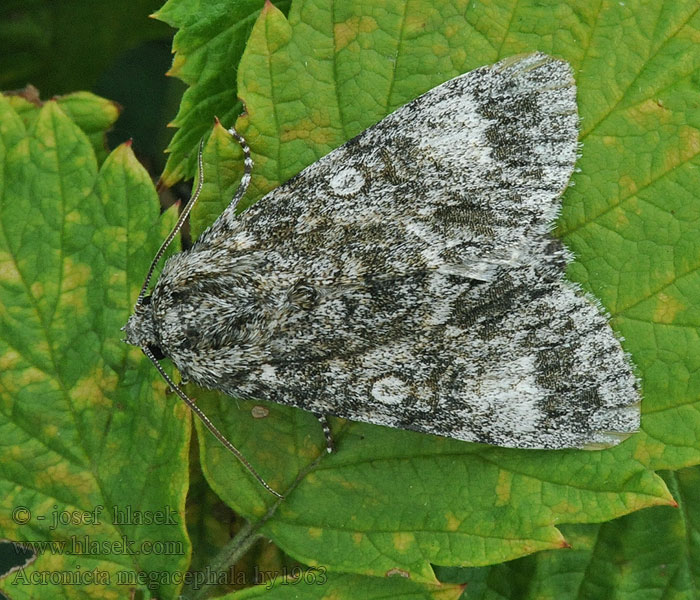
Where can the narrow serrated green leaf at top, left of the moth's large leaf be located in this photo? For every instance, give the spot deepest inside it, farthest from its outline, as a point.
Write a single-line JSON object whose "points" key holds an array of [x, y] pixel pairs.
{"points": [[207, 50]]}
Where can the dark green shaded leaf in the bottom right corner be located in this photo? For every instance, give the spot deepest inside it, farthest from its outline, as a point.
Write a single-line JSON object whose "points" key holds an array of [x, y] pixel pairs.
{"points": [[649, 555]]}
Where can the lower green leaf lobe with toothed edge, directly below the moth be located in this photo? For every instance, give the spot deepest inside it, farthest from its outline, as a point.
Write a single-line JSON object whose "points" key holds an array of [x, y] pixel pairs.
{"points": [[400, 500]]}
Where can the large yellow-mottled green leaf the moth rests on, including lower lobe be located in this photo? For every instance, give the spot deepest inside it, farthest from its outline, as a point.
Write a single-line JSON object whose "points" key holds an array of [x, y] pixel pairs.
{"points": [[391, 499]]}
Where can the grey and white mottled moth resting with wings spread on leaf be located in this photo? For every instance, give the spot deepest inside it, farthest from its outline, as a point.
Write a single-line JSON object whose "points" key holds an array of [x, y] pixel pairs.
{"points": [[409, 278]]}
